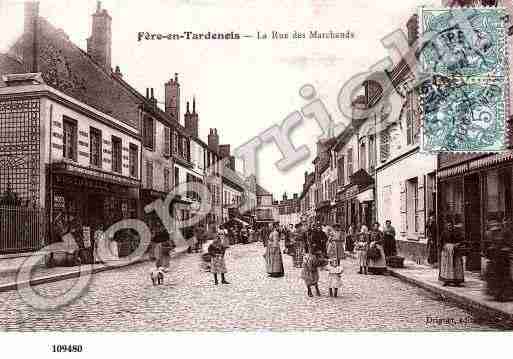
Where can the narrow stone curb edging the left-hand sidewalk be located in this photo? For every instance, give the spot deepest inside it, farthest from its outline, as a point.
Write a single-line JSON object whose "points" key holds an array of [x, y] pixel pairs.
{"points": [[76, 273]]}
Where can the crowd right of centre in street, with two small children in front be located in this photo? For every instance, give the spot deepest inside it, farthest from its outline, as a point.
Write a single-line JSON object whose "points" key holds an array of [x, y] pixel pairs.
{"points": [[325, 246]]}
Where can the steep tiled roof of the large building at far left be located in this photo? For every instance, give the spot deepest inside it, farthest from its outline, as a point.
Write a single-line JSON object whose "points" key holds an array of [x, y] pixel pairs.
{"points": [[69, 69]]}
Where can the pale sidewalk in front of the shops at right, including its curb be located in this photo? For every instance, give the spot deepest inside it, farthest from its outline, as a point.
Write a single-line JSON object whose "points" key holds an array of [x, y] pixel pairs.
{"points": [[471, 295]]}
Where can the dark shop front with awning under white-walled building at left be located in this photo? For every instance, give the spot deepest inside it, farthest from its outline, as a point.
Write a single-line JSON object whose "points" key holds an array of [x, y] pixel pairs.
{"points": [[83, 200]]}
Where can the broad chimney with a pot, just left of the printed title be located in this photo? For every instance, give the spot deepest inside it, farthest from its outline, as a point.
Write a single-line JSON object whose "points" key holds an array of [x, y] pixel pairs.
{"points": [[99, 44]]}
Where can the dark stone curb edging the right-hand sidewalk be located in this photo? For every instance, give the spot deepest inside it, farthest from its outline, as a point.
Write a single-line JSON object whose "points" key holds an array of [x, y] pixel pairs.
{"points": [[504, 317]]}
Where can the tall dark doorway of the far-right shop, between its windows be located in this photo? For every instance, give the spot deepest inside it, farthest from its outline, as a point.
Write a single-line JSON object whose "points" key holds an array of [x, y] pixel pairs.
{"points": [[472, 197]]}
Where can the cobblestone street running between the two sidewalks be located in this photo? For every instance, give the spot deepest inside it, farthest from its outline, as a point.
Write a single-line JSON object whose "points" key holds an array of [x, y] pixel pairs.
{"points": [[125, 300]]}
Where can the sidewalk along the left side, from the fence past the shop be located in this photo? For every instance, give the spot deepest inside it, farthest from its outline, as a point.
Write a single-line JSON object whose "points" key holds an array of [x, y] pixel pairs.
{"points": [[41, 275]]}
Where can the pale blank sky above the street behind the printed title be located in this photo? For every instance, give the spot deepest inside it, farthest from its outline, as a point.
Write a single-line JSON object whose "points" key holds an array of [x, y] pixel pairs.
{"points": [[242, 87]]}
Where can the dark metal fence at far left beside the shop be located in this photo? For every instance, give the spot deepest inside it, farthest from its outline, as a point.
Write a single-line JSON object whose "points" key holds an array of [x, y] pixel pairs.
{"points": [[22, 229]]}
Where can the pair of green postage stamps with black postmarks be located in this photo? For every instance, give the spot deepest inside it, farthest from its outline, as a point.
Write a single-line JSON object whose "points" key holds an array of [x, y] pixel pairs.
{"points": [[463, 100]]}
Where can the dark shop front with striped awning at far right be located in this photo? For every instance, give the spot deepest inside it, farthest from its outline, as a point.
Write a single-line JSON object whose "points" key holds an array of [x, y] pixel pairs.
{"points": [[476, 196]]}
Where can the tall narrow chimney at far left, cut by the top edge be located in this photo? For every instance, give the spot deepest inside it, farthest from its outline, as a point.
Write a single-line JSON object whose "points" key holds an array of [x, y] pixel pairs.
{"points": [[30, 25]]}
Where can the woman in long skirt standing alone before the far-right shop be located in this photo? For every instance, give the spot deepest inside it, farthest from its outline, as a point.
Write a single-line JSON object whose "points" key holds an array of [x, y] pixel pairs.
{"points": [[451, 260]]}
